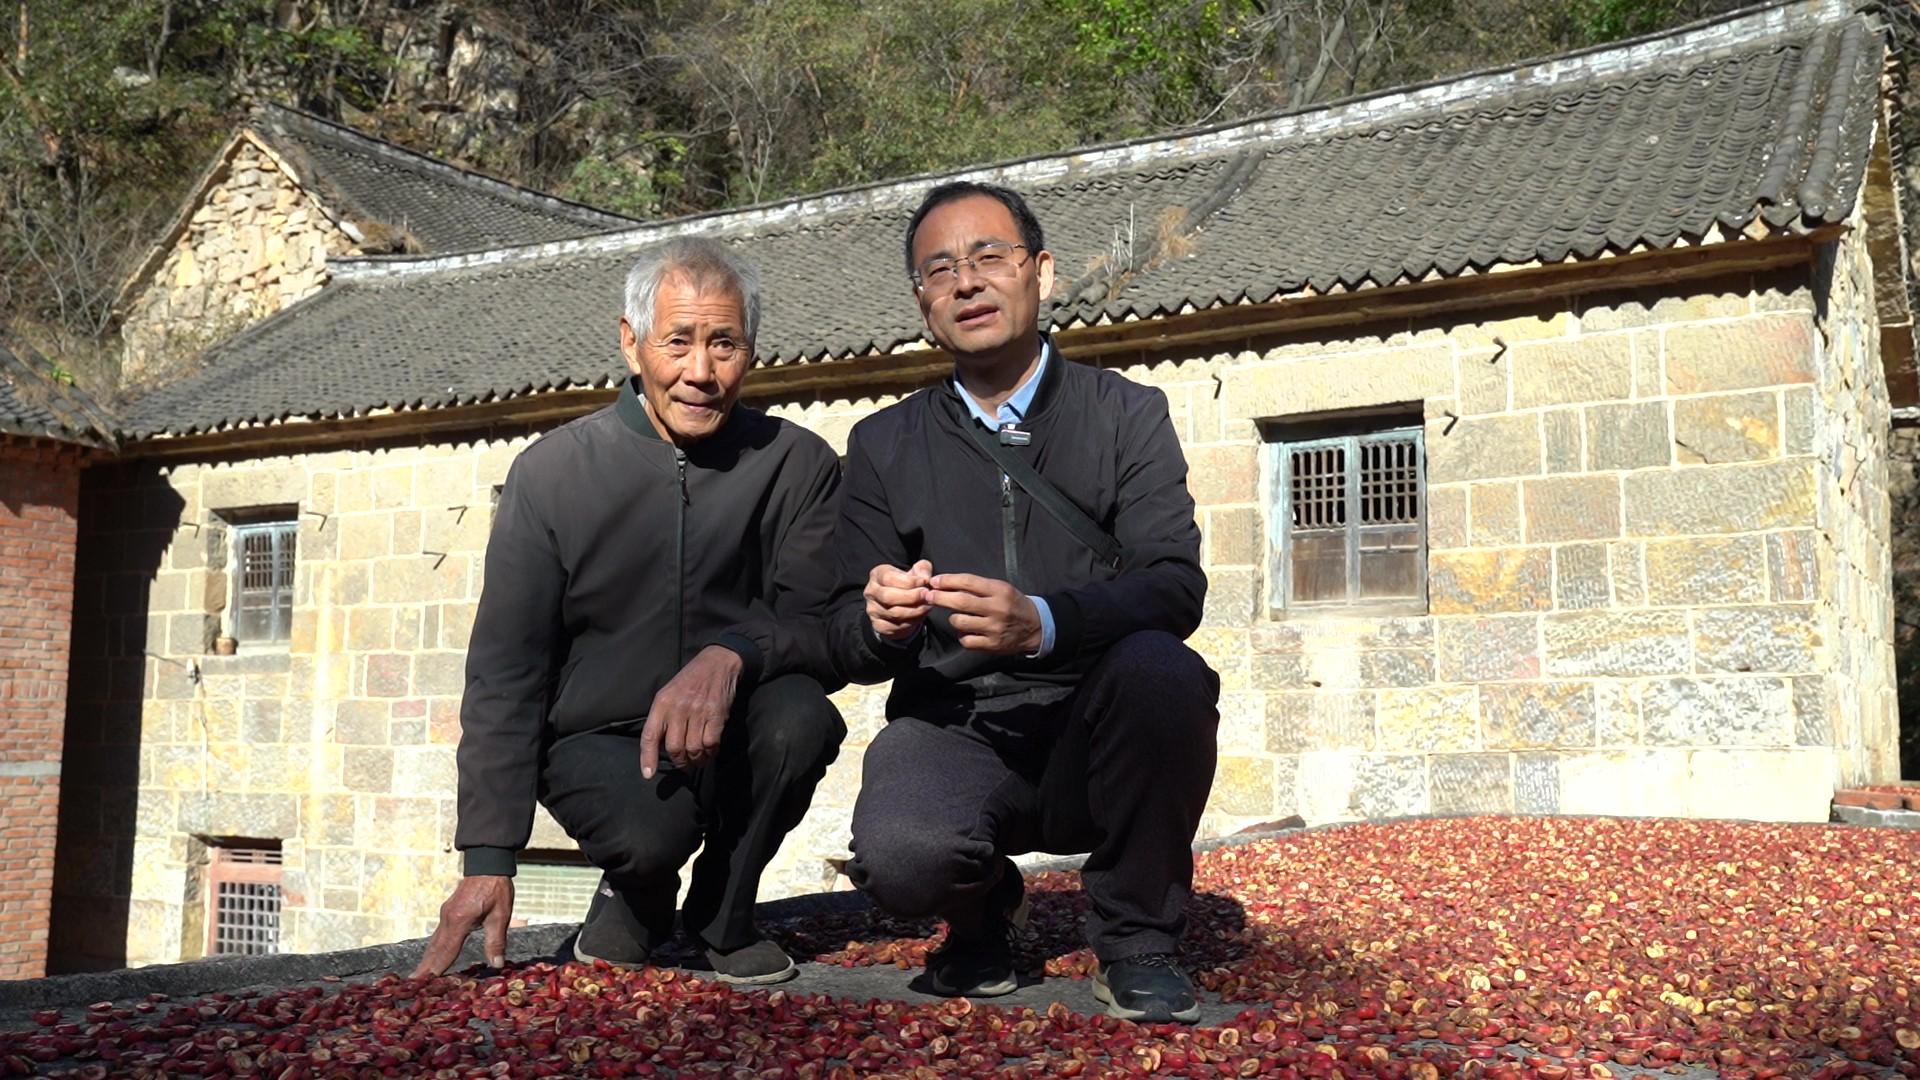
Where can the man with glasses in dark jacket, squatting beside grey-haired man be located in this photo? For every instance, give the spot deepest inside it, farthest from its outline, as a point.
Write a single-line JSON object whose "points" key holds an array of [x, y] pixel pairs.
{"points": [[1019, 552]]}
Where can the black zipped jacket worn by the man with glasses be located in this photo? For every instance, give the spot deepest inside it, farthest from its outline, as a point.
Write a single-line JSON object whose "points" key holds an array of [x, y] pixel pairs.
{"points": [[919, 487]]}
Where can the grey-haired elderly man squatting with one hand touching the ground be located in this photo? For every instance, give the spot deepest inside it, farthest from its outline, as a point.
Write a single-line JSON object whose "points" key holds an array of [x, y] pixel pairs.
{"points": [[648, 656]]}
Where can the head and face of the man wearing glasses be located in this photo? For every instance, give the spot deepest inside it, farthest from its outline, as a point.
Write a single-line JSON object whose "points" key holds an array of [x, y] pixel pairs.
{"points": [[976, 314]]}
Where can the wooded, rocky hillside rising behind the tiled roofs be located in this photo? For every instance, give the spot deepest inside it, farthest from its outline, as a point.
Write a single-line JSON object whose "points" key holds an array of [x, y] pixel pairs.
{"points": [[110, 109]]}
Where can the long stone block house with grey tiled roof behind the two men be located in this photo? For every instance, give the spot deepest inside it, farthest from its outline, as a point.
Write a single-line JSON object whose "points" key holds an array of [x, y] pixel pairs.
{"points": [[1537, 424]]}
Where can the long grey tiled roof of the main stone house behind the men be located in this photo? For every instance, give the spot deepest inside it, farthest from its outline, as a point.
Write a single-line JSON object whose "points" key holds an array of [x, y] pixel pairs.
{"points": [[1754, 122]]}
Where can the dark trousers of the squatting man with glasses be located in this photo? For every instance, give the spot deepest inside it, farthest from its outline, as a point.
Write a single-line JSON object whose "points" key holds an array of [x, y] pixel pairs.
{"points": [[1118, 770]]}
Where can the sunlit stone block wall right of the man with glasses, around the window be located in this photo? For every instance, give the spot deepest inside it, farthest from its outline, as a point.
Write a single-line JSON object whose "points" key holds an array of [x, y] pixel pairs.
{"points": [[1627, 574]]}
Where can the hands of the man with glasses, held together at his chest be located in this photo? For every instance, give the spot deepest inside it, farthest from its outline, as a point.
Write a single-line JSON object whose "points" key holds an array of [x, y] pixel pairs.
{"points": [[988, 614]]}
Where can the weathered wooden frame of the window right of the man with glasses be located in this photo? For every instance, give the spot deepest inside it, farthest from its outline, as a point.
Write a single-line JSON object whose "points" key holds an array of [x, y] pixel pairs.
{"points": [[1345, 435]]}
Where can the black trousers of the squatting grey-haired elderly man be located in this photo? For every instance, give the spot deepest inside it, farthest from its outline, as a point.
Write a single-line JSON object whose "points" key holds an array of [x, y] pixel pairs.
{"points": [[775, 750]]}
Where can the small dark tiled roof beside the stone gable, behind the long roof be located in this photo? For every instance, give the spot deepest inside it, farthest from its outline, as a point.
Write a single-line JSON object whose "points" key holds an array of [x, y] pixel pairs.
{"points": [[444, 209]]}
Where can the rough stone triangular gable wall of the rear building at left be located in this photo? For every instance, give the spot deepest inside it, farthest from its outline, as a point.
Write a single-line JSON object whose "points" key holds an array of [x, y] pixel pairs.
{"points": [[254, 245]]}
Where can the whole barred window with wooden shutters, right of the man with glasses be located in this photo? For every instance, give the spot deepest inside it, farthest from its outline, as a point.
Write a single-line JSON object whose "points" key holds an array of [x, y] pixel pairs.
{"points": [[1353, 522]]}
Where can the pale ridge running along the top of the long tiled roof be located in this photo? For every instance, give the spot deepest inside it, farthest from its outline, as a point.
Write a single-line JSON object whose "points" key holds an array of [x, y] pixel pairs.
{"points": [[1495, 87]]}
